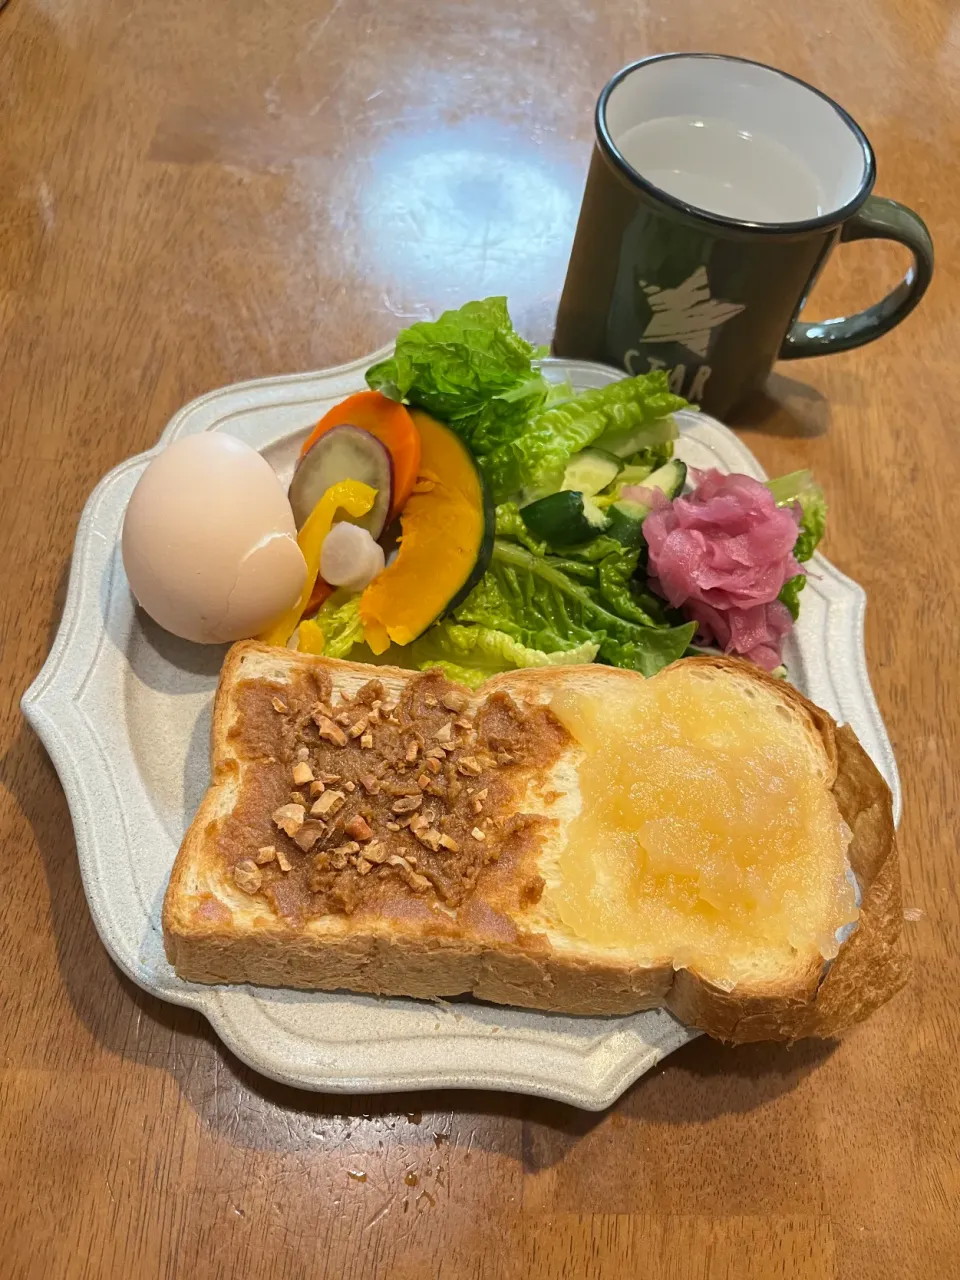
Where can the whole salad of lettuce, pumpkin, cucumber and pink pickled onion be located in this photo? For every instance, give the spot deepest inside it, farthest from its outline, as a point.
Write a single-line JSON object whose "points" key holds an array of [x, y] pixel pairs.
{"points": [[467, 514]]}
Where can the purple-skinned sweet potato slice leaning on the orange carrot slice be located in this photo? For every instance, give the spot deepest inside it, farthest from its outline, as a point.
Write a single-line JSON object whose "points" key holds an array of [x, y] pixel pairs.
{"points": [[344, 454]]}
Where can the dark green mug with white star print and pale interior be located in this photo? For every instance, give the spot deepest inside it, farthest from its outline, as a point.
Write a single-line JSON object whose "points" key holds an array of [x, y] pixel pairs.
{"points": [[717, 190]]}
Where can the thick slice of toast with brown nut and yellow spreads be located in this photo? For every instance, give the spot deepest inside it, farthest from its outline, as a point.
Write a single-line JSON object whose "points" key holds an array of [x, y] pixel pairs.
{"points": [[574, 839]]}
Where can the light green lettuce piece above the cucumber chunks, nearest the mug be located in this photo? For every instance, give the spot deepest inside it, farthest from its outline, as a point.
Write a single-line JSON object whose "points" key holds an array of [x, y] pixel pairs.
{"points": [[533, 464]]}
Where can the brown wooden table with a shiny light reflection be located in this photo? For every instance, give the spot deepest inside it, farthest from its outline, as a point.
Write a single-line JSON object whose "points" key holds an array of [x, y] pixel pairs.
{"points": [[195, 194]]}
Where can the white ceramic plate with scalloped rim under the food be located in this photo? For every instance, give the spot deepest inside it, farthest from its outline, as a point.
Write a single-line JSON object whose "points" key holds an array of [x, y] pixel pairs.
{"points": [[125, 712]]}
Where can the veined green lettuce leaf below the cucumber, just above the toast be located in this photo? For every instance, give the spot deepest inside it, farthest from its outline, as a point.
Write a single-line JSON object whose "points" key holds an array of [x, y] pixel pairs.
{"points": [[551, 605]]}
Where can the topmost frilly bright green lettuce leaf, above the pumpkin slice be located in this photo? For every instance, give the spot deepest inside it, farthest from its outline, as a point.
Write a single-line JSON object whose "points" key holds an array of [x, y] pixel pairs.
{"points": [[470, 369]]}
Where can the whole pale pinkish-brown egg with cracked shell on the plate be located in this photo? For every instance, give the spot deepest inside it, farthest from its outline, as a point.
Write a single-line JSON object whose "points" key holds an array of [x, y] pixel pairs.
{"points": [[211, 543]]}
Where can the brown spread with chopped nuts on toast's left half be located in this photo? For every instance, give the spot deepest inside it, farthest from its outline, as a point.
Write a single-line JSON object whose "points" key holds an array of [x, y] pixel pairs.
{"points": [[418, 766]]}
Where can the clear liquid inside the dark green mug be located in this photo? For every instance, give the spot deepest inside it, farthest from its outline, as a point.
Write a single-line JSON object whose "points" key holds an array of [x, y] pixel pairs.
{"points": [[723, 170]]}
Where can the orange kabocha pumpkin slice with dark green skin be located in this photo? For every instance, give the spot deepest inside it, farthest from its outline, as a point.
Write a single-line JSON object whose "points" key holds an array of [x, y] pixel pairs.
{"points": [[446, 545]]}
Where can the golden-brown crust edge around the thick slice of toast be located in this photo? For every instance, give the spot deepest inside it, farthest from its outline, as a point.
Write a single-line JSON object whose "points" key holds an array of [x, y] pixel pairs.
{"points": [[401, 958]]}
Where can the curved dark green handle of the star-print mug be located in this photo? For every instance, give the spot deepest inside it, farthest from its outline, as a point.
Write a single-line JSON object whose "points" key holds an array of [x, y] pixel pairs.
{"points": [[877, 218]]}
